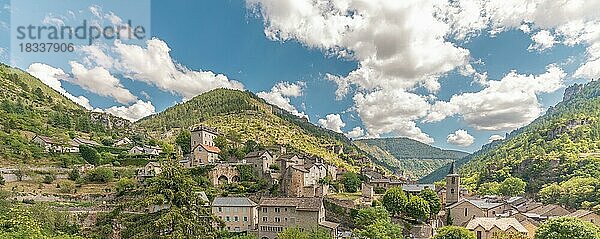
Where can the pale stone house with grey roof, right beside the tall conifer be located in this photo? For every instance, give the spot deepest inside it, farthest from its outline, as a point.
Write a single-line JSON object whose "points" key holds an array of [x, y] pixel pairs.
{"points": [[240, 214]]}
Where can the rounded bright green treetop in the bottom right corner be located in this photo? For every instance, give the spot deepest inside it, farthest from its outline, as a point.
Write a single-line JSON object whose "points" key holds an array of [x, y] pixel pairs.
{"points": [[567, 228]]}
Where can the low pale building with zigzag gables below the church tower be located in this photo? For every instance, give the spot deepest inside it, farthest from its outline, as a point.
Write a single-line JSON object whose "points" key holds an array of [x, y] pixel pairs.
{"points": [[485, 228]]}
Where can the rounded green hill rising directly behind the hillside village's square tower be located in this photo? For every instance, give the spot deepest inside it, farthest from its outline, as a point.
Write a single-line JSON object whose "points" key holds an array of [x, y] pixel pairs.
{"points": [[242, 116]]}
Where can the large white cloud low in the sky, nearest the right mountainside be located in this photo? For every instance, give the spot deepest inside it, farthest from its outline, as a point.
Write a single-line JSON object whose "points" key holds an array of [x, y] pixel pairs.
{"points": [[506, 104]]}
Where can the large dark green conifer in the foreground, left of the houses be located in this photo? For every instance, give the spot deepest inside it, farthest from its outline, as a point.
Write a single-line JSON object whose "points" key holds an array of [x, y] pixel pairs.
{"points": [[185, 217]]}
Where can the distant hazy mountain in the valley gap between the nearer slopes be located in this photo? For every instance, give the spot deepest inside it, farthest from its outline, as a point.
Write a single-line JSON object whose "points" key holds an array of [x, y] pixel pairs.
{"points": [[406, 156]]}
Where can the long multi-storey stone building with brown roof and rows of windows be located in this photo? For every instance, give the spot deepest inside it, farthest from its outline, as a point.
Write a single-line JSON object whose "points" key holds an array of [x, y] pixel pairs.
{"points": [[277, 214]]}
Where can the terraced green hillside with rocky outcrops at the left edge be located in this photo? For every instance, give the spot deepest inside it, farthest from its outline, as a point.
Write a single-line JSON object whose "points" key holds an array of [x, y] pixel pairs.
{"points": [[28, 107]]}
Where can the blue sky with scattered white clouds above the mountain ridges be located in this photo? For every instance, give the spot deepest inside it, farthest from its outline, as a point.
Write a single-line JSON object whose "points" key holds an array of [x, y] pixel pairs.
{"points": [[229, 37]]}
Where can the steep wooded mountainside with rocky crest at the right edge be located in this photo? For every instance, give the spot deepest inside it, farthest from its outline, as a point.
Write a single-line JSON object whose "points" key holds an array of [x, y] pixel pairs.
{"points": [[562, 144]]}
